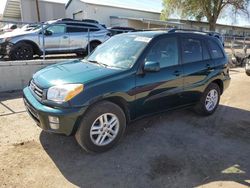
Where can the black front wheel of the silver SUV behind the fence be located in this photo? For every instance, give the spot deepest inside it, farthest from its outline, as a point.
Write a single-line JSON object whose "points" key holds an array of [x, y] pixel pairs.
{"points": [[21, 51]]}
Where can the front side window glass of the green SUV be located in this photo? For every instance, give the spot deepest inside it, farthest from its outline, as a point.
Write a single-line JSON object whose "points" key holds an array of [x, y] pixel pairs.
{"points": [[165, 52]]}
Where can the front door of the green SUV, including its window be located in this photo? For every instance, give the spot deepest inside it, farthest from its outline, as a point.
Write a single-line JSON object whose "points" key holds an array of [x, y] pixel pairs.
{"points": [[159, 91]]}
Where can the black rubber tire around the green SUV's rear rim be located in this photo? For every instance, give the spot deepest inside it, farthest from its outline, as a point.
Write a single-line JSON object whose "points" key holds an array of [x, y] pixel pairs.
{"points": [[200, 107]]}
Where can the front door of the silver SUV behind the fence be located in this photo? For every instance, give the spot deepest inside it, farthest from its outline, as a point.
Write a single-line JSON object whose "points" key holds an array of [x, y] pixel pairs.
{"points": [[56, 38]]}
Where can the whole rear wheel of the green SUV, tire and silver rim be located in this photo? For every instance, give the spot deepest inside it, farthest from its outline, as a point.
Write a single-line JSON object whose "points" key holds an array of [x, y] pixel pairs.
{"points": [[209, 100]]}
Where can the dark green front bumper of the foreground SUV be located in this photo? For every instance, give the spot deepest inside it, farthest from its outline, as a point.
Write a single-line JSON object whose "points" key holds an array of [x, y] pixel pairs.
{"points": [[67, 116]]}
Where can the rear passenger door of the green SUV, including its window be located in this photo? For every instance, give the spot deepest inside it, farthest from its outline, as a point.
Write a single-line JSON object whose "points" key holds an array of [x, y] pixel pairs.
{"points": [[197, 67]]}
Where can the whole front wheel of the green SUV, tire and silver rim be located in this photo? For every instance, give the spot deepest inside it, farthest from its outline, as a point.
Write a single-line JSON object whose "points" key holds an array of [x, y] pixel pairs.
{"points": [[101, 127]]}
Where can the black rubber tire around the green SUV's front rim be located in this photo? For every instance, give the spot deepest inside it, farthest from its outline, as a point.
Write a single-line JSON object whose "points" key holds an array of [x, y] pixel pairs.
{"points": [[83, 136]]}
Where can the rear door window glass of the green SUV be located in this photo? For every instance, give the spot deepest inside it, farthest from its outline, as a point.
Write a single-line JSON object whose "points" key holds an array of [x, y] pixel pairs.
{"points": [[191, 50]]}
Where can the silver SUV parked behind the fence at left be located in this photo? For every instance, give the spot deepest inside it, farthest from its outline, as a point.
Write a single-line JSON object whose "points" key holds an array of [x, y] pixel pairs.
{"points": [[60, 36]]}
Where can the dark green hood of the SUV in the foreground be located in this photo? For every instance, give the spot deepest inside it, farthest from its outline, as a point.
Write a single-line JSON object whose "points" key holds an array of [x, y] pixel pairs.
{"points": [[68, 72]]}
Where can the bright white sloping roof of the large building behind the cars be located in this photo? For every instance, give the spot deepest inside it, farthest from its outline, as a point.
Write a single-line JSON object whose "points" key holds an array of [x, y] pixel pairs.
{"points": [[145, 5]]}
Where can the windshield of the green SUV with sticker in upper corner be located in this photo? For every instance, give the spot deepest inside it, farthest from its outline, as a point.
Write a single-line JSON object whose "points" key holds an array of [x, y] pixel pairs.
{"points": [[120, 51]]}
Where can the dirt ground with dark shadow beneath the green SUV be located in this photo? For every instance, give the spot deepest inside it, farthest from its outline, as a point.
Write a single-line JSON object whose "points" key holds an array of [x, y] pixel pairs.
{"points": [[174, 149]]}
